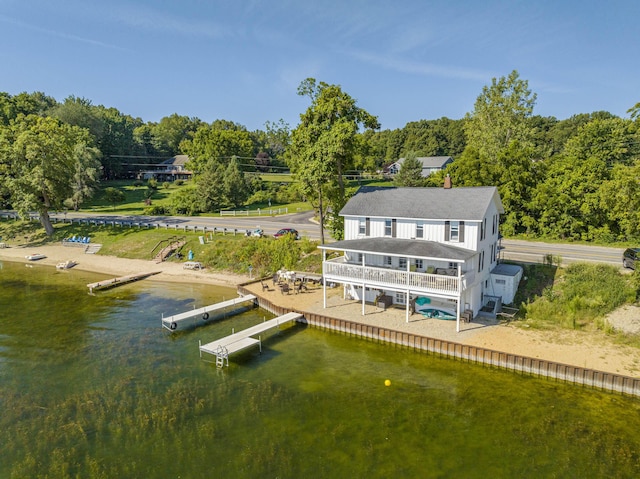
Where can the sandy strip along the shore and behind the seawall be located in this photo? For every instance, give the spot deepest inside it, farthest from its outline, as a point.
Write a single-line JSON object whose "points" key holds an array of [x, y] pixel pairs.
{"points": [[594, 350]]}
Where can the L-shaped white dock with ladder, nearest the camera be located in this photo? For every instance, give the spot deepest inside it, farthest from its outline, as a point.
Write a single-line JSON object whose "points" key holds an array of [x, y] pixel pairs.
{"points": [[222, 348]]}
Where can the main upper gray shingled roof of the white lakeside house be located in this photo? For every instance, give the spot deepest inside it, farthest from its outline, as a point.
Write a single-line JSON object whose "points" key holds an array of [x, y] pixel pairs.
{"points": [[462, 203]]}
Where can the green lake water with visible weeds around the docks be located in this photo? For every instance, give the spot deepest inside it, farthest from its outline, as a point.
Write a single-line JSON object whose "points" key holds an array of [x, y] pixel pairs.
{"points": [[93, 387]]}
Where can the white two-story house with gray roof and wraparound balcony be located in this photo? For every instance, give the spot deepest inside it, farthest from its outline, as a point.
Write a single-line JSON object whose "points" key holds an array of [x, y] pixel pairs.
{"points": [[403, 246]]}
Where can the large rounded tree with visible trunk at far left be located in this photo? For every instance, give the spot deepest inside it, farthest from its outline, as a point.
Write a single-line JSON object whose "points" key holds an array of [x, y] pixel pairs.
{"points": [[39, 159]]}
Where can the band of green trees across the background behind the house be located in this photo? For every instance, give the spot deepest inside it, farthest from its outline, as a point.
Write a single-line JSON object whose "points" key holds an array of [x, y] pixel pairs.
{"points": [[575, 178]]}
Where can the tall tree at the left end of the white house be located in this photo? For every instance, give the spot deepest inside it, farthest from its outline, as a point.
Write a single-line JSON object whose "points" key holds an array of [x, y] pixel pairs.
{"points": [[324, 144]]}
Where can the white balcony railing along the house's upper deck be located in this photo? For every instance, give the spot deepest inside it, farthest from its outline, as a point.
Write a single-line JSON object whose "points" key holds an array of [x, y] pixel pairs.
{"points": [[384, 277]]}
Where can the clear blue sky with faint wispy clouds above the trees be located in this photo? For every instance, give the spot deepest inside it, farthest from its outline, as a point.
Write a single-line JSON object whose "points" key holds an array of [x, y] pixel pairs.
{"points": [[242, 61]]}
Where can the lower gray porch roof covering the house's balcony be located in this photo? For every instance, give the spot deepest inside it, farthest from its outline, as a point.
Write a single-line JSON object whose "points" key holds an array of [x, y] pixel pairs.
{"points": [[402, 247]]}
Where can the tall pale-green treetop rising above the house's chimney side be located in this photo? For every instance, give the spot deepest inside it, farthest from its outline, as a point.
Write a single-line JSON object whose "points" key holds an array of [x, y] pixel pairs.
{"points": [[500, 116]]}
